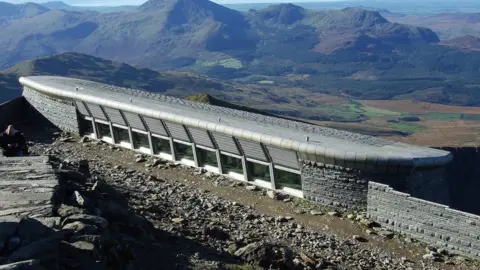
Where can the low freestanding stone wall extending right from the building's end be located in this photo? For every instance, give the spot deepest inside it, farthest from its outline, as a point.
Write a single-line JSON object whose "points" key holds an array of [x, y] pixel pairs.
{"points": [[435, 224]]}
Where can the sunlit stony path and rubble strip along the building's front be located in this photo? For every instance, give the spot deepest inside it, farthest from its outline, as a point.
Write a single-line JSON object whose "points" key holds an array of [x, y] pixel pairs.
{"points": [[222, 216]]}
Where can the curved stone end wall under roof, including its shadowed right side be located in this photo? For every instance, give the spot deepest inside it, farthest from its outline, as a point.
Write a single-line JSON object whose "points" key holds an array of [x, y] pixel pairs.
{"points": [[347, 188]]}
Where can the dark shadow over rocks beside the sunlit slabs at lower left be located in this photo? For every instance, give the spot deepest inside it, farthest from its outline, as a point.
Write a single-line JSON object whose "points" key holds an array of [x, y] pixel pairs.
{"points": [[101, 232]]}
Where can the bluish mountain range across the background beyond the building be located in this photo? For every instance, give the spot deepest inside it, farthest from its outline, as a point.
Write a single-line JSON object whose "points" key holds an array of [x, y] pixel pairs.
{"points": [[352, 52]]}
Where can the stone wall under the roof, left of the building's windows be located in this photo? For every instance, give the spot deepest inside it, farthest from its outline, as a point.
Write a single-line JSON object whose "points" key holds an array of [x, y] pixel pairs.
{"points": [[60, 113]]}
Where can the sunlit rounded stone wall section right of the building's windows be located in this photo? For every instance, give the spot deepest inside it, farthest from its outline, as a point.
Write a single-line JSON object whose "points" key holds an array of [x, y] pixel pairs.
{"points": [[334, 185]]}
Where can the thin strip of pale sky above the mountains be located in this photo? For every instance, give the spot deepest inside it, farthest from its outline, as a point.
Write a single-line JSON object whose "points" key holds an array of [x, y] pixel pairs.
{"points": [[138, 2]]}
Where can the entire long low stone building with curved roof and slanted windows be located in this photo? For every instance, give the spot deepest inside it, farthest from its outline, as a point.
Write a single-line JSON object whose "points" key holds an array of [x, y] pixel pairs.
{"points": [[323, 165]]}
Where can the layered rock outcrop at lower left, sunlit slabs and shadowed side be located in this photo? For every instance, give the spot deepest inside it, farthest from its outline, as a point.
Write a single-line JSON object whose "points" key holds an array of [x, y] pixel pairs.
{"points": [[56, 219]]}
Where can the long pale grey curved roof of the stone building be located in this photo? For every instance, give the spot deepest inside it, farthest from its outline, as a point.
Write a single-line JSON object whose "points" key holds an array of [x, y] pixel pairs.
{"points": [[324, 143]]}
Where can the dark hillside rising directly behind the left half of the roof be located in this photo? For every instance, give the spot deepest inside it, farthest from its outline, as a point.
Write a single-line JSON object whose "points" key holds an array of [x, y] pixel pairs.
{"points": [[101, 70]]}
